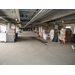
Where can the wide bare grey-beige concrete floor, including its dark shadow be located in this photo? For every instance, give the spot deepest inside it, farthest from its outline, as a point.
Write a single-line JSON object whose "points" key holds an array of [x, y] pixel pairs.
{"points": [[31, 50]]}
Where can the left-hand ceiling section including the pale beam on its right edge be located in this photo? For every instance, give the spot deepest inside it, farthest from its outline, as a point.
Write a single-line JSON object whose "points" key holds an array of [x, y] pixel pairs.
{"points": [[10, 15]]}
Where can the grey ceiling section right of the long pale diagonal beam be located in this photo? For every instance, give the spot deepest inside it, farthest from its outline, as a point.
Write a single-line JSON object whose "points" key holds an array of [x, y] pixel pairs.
{"points": [[56, 16]]}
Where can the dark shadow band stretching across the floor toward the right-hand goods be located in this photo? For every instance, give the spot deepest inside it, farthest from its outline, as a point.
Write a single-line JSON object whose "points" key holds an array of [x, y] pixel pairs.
{"points": [[31, 39]]}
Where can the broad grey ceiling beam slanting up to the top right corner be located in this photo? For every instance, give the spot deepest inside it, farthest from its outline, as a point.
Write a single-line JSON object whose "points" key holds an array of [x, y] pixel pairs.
{"points": [[60, 13]]}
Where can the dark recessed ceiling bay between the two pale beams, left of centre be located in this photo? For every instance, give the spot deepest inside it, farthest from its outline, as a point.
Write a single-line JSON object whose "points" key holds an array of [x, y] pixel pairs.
{"points": [[27, 14]]}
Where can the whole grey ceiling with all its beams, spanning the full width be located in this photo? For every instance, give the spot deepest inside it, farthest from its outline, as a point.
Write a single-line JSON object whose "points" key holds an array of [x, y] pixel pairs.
{"points": [[35, 17]]}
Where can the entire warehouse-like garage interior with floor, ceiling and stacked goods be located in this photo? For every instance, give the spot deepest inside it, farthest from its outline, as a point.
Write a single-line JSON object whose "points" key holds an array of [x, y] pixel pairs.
{"points": [[31, 36]]}
